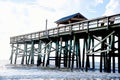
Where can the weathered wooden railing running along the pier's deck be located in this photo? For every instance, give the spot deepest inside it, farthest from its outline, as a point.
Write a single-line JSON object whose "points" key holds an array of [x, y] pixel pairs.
{"points": [[83, 25]]}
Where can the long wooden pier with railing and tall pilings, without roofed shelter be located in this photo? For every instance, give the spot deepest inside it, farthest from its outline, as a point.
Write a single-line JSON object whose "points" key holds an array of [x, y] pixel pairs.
{"points": [[75, 45]]}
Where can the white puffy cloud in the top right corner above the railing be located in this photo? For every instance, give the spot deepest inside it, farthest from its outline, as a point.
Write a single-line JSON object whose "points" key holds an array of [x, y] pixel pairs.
{"points": [[112, 7]]}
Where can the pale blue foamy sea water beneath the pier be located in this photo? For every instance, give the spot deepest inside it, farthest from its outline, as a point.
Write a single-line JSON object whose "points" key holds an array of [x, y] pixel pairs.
{"points": [[18, 72]]}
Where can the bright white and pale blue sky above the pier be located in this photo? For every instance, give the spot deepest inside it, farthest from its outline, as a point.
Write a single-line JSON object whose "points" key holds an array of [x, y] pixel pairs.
{"points": [[26, 16]]}
